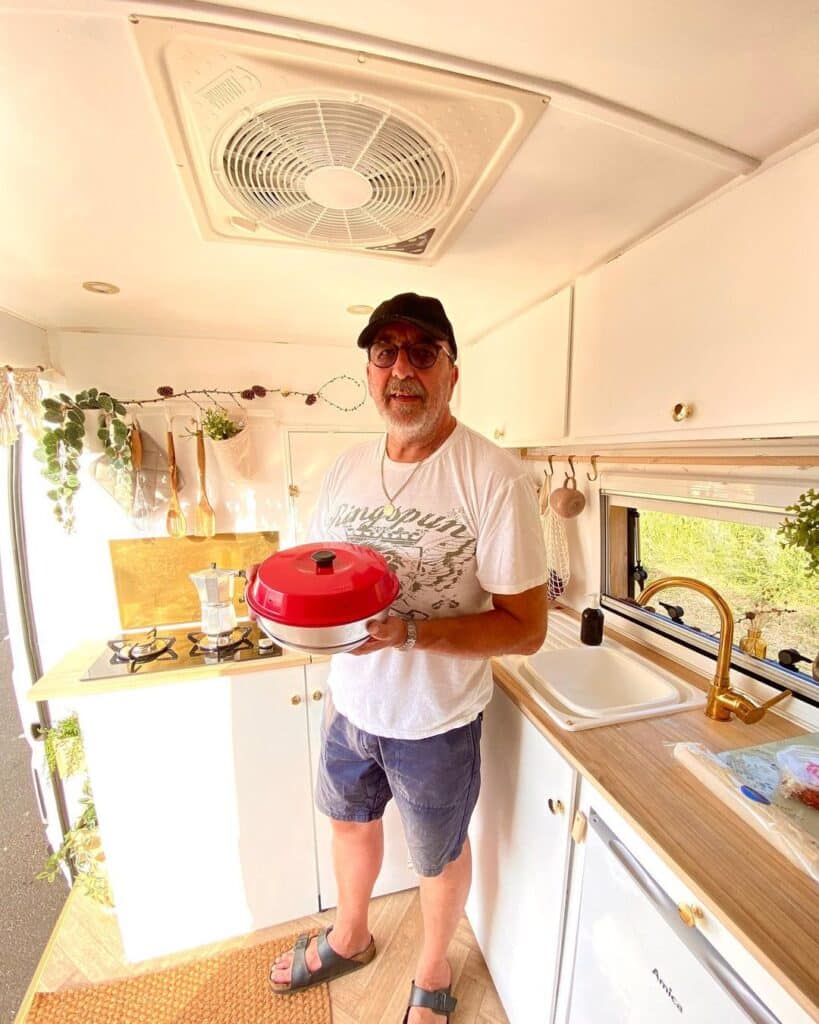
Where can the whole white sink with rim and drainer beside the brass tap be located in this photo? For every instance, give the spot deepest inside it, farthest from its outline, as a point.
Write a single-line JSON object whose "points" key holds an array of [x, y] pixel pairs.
{"points": [[587, 688]]}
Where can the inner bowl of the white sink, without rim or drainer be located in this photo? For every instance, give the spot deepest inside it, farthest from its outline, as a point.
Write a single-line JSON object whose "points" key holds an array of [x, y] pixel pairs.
{"points": [[598, 681]]}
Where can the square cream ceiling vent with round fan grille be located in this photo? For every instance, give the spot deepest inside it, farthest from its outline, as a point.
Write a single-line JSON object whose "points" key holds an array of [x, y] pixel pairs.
{"points": [[310, 145]]}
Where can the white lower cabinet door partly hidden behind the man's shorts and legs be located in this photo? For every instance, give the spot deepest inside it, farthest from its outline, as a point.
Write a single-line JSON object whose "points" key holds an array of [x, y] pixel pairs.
{"points": [[397, 871]]}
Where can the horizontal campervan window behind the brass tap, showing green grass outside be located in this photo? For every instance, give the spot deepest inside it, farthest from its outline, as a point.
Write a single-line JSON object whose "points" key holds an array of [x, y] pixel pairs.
{"points": [[724, 535]]}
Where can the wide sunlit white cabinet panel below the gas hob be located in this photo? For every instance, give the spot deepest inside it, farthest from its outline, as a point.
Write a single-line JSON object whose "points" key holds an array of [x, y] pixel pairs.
{"points": [[204, 799]]}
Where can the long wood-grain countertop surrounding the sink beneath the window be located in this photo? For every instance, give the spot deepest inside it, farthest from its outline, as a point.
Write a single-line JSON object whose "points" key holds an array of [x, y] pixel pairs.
{"points": [[763, 900]]}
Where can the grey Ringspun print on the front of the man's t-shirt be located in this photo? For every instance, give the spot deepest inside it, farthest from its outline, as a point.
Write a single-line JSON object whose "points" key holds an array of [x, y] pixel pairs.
{"points": [[428, 551]]}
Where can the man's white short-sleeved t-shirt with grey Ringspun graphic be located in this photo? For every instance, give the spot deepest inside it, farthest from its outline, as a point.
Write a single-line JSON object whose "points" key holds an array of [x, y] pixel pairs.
{"points": [[466, 527]]}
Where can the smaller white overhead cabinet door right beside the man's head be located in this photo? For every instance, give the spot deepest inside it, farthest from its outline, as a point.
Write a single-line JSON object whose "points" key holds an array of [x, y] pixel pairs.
{"points": [[513, 388]]}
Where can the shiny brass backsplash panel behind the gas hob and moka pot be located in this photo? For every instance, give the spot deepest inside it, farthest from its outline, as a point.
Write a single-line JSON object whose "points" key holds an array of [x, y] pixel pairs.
{"points": [[151, 574]]}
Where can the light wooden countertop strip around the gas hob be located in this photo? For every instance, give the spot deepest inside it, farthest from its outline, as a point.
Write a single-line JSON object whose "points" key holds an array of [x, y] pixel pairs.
{"points": [[63, 681]]}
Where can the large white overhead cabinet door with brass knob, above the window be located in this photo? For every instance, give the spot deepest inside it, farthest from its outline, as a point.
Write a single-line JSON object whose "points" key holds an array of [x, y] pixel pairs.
{"points": [[719, 312]]}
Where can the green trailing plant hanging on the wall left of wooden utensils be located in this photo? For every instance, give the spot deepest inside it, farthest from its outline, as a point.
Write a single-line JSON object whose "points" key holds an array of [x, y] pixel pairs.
{"points": [[64, 439]]}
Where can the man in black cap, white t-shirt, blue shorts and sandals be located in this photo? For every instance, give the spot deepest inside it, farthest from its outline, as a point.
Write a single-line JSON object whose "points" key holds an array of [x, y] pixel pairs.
{"points": [[457, 520]]}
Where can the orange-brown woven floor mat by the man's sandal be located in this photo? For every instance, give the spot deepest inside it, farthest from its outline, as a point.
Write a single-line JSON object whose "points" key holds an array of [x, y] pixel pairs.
{"points": [[229, 989]]}
